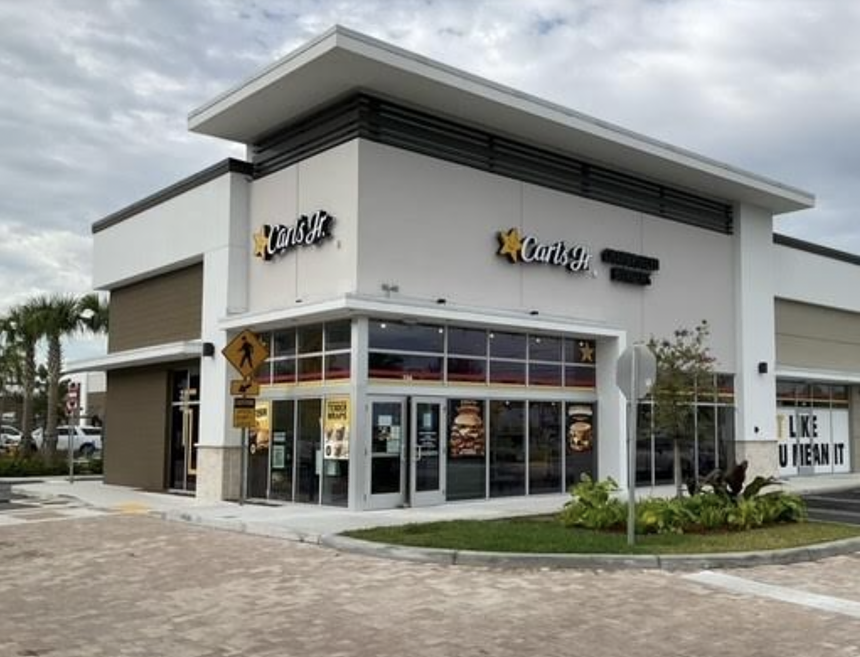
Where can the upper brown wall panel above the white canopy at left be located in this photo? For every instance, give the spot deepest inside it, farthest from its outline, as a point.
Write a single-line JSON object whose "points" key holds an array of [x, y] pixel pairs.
{"points": [[165, 308]]}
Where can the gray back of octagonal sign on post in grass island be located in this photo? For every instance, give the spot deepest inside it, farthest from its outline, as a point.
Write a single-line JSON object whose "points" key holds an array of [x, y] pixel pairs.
{"points": [[635, 373]]}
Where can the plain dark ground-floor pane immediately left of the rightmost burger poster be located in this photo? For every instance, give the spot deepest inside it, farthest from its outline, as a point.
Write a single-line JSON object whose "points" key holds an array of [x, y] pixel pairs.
{"points": [[544, 447]]}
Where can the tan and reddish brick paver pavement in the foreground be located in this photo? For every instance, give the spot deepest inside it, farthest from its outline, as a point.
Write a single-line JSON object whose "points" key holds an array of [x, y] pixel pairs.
{"points": [[135, 585]]}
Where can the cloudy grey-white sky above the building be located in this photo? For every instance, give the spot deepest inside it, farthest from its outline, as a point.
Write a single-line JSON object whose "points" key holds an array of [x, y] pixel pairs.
{"points": [[94, 94]]}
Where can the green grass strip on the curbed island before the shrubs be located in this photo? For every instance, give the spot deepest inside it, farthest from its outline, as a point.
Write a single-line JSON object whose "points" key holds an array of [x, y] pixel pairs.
{"points": [[546, 534]]}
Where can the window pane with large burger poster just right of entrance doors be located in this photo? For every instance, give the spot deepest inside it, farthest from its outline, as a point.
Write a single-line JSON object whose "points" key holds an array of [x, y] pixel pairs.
{"points": [[466, 465]]}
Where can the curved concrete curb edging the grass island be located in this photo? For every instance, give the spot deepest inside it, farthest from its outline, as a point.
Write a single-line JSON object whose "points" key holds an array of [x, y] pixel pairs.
{"points": [[680, 562]]}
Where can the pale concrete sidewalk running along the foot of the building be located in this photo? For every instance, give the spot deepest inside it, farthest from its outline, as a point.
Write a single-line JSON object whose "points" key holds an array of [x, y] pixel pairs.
{"points": [[307, 522]]}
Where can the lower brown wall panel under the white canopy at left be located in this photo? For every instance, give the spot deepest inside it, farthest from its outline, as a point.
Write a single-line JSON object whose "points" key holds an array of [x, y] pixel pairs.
{"points": [[135, 449]]}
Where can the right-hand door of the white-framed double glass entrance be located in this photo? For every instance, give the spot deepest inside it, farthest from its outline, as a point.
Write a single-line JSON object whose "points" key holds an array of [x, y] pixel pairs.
{"points": [[427, 449]]}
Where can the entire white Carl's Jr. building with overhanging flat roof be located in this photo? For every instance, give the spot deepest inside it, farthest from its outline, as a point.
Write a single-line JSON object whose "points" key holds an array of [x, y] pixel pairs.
{"points": [[444, 272]]}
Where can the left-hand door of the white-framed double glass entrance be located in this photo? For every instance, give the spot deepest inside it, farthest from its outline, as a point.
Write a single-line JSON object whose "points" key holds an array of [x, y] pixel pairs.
{"points": [[387, 452]]}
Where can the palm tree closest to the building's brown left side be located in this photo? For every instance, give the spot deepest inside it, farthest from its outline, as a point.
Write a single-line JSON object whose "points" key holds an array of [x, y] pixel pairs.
{"points": [[59, 316]]}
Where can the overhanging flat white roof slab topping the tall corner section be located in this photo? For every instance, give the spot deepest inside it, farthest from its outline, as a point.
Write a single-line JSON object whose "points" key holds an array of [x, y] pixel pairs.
{"points": [[342, 61]]}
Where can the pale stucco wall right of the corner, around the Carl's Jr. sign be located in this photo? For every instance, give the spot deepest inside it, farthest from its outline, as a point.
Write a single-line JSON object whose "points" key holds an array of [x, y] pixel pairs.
{"points": [[431, 227]]}
